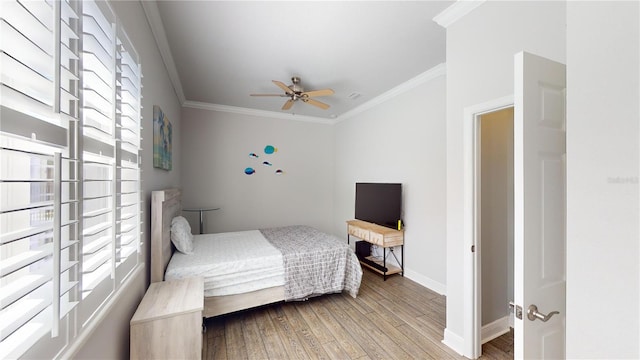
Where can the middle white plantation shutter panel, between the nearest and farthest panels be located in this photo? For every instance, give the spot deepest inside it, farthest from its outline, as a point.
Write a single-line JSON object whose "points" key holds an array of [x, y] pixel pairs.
{"points": [[98, 156]]}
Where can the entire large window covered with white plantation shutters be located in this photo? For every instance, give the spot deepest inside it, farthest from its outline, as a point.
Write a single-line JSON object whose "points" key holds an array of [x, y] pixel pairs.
{"points": [[69, 170]]}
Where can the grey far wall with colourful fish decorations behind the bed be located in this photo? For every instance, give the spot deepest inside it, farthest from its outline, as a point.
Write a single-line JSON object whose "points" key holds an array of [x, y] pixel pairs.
{"points": [[216, 148]]}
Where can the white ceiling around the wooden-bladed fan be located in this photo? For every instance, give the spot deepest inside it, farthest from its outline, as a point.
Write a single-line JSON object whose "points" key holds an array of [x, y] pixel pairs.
{"points": [[219, 52]]}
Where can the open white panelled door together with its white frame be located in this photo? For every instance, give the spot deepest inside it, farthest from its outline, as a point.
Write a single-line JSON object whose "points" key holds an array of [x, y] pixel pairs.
{"points": [[540, 153]]}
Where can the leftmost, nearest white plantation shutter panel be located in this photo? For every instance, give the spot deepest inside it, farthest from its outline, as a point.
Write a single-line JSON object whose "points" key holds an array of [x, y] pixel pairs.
{"points": [[38, 173]]}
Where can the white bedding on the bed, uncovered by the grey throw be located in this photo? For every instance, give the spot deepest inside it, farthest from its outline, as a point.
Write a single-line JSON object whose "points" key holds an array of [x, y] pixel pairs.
{"points": [[230, 263]]}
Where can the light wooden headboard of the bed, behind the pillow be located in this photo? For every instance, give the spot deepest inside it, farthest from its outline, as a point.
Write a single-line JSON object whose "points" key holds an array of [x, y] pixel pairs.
{"points": [[165, 205]]}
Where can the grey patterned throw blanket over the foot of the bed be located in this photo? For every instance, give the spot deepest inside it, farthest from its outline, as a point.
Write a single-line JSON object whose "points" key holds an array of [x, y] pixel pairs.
{"points": [[315, 263]]}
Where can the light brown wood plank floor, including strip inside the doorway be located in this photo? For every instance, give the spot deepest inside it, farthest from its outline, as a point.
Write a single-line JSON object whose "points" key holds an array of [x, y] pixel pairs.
{"points": [[396, 319]]}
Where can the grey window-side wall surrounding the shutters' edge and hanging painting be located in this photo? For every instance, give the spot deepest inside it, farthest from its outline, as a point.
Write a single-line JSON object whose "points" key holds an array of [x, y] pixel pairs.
{"points": [[110, 340]]}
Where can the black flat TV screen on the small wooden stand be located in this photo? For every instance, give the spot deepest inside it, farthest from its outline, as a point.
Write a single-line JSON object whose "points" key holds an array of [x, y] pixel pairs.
{"points": [[379, 203]]}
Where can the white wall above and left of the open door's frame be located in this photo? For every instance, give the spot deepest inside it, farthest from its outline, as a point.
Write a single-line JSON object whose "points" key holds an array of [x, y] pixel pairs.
{"points": [[480, 50]]}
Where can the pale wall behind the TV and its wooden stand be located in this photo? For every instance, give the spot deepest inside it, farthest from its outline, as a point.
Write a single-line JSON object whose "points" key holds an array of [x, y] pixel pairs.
{"points": [[401, 140]]}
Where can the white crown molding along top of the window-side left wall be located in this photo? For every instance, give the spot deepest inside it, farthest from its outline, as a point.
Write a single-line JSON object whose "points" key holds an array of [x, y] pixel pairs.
{"points": [[157, 28]]}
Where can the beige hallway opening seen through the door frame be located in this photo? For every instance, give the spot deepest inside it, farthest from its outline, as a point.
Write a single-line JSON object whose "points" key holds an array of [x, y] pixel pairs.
{"points": [[495, 223]]}
